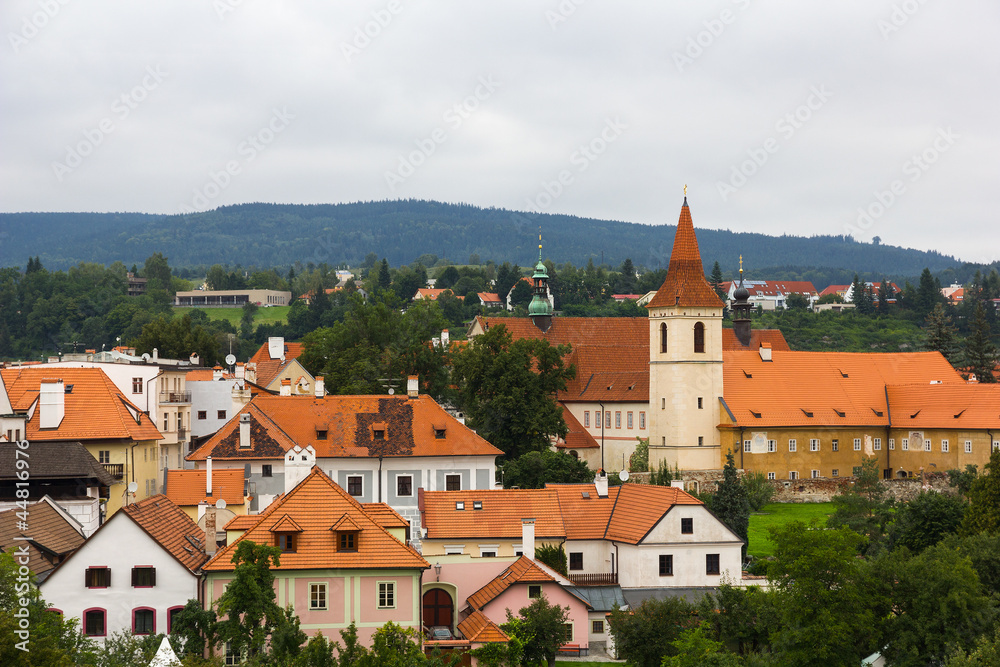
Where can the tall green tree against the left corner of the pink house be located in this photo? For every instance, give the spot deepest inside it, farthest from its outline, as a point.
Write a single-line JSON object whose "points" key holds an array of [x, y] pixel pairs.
{"points": [[248, 605]]}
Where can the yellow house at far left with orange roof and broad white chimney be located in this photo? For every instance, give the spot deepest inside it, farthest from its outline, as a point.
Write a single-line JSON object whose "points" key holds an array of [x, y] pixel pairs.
{"points": [[82, 404]]}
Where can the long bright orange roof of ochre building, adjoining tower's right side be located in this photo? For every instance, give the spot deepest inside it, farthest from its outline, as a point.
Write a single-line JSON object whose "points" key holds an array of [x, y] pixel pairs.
{"points": [[836, 388]]}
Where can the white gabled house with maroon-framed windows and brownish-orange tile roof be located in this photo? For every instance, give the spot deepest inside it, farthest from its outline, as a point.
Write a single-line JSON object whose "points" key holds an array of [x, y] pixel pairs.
{"points": [[136, 589]]}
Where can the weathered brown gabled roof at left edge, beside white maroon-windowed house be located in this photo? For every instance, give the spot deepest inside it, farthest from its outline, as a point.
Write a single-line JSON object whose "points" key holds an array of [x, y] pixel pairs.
{"points": [[53, 535]]}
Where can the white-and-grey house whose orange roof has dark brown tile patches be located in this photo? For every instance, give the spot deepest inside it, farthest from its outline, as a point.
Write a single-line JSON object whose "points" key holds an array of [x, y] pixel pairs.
{"points": [[378, 448]]}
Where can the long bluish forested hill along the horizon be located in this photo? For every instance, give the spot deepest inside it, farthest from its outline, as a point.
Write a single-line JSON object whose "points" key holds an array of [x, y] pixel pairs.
{"points": [[401, 231]]}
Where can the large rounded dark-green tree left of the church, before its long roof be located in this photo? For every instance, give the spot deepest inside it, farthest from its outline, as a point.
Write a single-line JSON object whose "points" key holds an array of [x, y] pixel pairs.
{"points": [[507, 389]]}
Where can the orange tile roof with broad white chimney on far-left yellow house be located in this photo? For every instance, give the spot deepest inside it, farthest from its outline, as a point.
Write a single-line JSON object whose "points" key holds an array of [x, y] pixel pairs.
{"points": [[94, 410]]}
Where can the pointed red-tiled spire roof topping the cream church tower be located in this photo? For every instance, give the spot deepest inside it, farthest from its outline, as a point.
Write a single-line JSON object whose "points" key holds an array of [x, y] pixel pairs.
{"points": [[685, 284]]}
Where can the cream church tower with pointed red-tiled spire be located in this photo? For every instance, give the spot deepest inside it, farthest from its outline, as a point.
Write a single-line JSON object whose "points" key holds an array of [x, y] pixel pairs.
{"points": [[685, 360]]}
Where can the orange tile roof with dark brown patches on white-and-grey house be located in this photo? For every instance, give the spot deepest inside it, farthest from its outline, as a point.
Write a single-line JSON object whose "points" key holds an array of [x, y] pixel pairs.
{"points": [[280, 422]]}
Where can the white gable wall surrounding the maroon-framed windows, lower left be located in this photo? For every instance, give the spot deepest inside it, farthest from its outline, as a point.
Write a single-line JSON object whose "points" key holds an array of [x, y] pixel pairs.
{"points": [[120, 545]]}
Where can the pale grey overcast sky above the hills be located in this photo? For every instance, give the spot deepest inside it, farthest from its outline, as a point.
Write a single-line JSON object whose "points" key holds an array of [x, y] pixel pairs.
{"points": [[780, 117]]}
